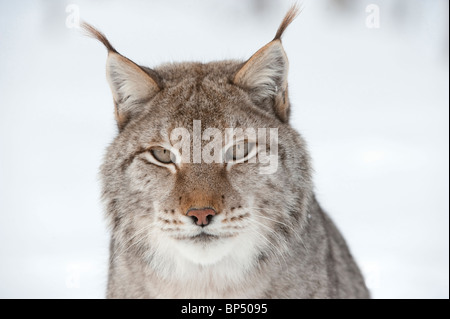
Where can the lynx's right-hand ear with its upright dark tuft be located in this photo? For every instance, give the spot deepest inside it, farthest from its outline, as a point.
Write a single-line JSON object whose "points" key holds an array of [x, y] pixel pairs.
{"points": [[264, 75]]}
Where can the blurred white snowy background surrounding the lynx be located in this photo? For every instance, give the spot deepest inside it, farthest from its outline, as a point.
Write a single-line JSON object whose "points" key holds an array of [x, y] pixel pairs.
{"points": [[372, 103]]}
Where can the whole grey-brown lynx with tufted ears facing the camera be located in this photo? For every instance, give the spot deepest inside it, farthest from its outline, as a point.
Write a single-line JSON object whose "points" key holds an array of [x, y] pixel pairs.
{"points": [[221, 229]]}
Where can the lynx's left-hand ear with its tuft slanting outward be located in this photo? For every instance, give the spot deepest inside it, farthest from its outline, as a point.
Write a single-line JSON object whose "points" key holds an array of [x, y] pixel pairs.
{"points": [[131, 85]]}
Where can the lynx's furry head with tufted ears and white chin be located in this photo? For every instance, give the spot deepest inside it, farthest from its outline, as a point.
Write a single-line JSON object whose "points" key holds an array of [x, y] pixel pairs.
{"points": [[176, 184]]}
